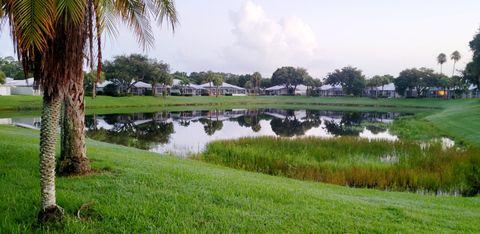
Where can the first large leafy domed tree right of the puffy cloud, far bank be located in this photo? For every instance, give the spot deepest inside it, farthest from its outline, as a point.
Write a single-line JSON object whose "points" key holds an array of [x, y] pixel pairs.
{"points": [[351, 79]]}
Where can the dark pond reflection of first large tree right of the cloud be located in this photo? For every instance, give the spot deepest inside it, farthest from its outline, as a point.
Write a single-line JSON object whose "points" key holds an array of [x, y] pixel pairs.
{"points": [[350, 125]]}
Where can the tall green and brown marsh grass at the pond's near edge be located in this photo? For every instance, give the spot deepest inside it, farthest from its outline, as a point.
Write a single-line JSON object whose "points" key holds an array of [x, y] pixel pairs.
{"points": [[349, 161]]}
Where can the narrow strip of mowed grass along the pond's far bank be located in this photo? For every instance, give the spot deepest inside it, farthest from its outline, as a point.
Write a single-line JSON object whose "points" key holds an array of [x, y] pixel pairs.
{"points": [[15, 103]]}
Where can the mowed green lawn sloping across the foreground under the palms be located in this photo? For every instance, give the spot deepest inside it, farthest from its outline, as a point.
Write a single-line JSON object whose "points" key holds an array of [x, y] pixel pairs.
{"points": [[144, 192]]}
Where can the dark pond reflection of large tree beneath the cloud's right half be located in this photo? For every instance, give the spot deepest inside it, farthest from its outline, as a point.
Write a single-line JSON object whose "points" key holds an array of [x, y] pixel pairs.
{"points": [[290, 126]]}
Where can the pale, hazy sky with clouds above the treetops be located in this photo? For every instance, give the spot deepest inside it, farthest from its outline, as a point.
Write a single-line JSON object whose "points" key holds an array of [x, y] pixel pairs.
{"points": [[244, 36]]}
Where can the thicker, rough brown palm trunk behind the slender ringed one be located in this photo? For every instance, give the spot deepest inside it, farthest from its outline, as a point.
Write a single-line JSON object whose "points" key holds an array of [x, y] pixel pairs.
{"points": [[73, 160]]}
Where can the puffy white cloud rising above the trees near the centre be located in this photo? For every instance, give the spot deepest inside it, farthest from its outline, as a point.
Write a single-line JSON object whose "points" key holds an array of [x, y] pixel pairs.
{"points": [[263, 44]]}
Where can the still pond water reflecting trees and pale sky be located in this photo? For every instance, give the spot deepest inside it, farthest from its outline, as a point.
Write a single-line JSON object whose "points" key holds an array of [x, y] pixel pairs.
{"points": [[186, 132]]}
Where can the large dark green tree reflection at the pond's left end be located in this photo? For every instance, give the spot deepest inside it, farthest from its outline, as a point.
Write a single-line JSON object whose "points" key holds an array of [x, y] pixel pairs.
{"points": [[126, 132]]}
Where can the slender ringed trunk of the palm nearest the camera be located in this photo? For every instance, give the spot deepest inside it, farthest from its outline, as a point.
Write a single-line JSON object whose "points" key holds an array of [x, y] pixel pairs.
{"points": [[48, 137]]}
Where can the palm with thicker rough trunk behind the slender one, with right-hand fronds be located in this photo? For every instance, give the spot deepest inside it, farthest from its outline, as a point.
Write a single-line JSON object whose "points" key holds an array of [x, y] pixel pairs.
{"points": [[137, 15]]}
